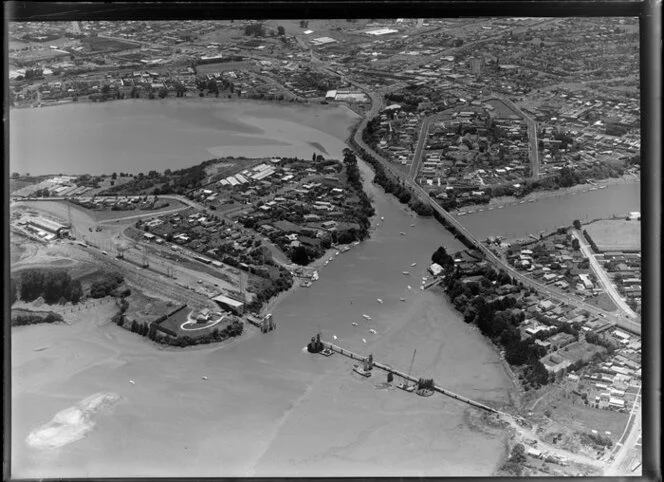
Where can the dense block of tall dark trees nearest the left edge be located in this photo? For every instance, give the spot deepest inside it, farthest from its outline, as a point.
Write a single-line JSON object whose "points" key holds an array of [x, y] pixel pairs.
{"points": [[53, 286]]}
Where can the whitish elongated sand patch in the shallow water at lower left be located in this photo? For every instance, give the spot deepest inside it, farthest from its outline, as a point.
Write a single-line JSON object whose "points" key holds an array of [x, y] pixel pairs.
{"points": [[71, 424]]}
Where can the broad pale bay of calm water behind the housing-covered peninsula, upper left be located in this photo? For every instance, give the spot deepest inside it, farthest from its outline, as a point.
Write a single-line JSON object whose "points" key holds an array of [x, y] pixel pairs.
{"points": [[329, 125]]}
